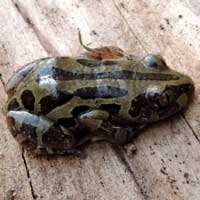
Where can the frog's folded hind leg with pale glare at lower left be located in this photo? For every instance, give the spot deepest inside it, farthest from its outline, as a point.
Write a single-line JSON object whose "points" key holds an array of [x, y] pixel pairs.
{"points": [[40, 134]]}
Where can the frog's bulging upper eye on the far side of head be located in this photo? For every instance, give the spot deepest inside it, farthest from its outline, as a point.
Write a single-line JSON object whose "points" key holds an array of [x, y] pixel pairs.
{"points": [[155, 62]]}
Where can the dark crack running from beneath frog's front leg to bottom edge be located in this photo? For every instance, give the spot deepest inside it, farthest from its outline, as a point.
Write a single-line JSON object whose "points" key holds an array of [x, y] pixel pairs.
{"points": [[120, 154]]}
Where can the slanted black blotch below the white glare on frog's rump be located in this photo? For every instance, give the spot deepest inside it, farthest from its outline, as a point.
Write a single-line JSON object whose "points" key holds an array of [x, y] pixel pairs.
{"points": [[50, 102]]}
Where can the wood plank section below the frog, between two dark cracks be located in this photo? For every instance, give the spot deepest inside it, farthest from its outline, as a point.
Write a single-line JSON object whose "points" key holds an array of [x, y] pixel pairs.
{"points": [[100, 176]]}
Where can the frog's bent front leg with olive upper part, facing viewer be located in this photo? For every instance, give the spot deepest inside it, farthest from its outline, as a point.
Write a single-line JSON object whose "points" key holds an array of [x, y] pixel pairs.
{"points": [[103, 129]]}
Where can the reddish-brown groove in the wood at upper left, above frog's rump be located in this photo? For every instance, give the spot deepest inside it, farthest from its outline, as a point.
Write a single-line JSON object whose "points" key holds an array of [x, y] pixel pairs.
{"points": [[49, 48]]}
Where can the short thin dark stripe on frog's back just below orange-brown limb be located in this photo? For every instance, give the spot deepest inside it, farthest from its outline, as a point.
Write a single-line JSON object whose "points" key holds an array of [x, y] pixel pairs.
{"points": [[95, 63]]}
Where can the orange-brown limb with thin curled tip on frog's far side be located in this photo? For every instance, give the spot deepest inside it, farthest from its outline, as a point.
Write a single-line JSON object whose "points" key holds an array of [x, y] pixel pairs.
{"points": [[107, 52]]}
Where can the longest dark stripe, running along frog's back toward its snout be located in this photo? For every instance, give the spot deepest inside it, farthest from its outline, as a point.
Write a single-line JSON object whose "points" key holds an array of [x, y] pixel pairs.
{"points": [[60, 74]]}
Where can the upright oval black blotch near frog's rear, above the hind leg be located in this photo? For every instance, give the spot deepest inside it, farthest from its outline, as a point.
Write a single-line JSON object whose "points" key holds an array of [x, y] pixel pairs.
{"points": [[28, 100]]}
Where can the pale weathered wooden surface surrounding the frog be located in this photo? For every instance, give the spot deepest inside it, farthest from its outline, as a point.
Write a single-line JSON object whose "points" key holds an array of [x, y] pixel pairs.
{"points": [[167, 163]]}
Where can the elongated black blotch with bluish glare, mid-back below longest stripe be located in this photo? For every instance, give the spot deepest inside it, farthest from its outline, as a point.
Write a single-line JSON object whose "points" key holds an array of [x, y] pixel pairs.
{"points": [[100, 92]]}
